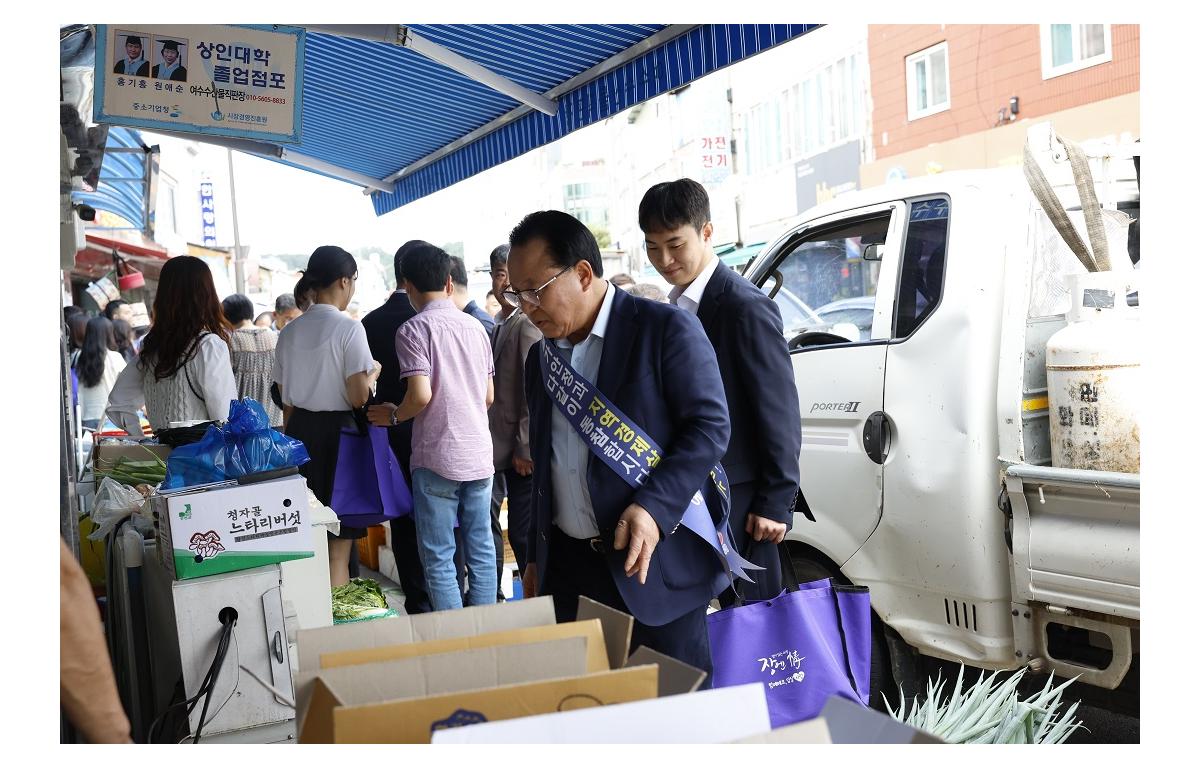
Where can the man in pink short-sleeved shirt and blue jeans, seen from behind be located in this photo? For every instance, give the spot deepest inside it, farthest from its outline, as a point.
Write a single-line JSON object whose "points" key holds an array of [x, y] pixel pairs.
{"points": [[447, 358]]}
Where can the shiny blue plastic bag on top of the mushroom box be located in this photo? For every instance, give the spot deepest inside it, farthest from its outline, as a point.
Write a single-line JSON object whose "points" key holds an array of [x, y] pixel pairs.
{"points": [[243, 446]]}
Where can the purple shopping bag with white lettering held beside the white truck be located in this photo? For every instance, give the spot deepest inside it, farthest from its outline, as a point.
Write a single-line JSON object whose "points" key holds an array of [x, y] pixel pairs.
{"points": [[803, 646]]}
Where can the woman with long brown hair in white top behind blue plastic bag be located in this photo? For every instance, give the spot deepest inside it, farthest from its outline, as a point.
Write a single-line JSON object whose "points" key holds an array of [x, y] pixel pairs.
{"points": [[183, 373]]}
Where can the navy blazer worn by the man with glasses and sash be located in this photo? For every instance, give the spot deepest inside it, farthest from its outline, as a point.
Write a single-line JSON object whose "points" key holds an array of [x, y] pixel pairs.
{"points": [[661, 370]]}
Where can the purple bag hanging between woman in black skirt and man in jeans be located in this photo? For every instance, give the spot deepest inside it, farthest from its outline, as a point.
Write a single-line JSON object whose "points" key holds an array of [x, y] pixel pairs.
{"points": [[369, 487]]}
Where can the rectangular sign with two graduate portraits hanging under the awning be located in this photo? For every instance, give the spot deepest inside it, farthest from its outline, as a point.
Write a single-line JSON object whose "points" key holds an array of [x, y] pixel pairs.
{"points": [[219, 80]]}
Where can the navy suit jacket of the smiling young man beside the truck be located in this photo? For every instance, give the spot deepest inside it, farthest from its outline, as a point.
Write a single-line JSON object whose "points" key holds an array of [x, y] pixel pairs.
{"points": [[747, 332]]}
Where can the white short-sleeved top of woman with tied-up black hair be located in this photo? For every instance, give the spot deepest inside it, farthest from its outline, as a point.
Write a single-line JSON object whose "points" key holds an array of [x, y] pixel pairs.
{"points": [[315, 356]]}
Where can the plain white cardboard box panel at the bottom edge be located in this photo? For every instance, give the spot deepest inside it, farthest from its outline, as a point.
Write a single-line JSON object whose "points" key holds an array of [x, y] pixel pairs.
{"points": [[712, 717]]}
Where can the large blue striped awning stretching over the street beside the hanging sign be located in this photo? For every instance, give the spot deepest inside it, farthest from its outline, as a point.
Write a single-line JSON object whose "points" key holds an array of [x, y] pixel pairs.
{"points": [[388, 113]]}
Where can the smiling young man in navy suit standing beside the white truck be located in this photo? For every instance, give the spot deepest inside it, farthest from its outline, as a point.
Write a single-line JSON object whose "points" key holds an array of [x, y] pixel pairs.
{"points": [[747, 332]]}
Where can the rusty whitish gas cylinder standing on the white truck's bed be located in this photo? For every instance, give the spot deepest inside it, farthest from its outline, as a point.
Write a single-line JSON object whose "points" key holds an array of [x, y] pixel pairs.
{"points": [[1094, 377]]}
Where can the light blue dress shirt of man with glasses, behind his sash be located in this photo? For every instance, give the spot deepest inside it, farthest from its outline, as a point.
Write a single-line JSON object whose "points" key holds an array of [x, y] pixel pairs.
{"points": [[569, 455]]}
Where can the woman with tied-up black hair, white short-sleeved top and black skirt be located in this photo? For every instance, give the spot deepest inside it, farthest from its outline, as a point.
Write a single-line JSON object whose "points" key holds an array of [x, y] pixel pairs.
{"points": [[325, 370]]}
